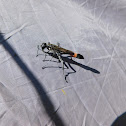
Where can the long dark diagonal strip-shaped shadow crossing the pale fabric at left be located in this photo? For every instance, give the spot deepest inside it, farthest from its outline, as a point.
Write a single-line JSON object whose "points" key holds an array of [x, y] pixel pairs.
{"points": [[42, 94]]}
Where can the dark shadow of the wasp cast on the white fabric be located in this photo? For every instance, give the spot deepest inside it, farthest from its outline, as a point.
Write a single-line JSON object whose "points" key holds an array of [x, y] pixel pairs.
{"points": [[67, 61]]}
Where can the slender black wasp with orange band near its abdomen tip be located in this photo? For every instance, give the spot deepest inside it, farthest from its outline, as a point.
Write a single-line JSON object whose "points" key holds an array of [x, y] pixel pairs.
{"points": [[58, 51]]}
